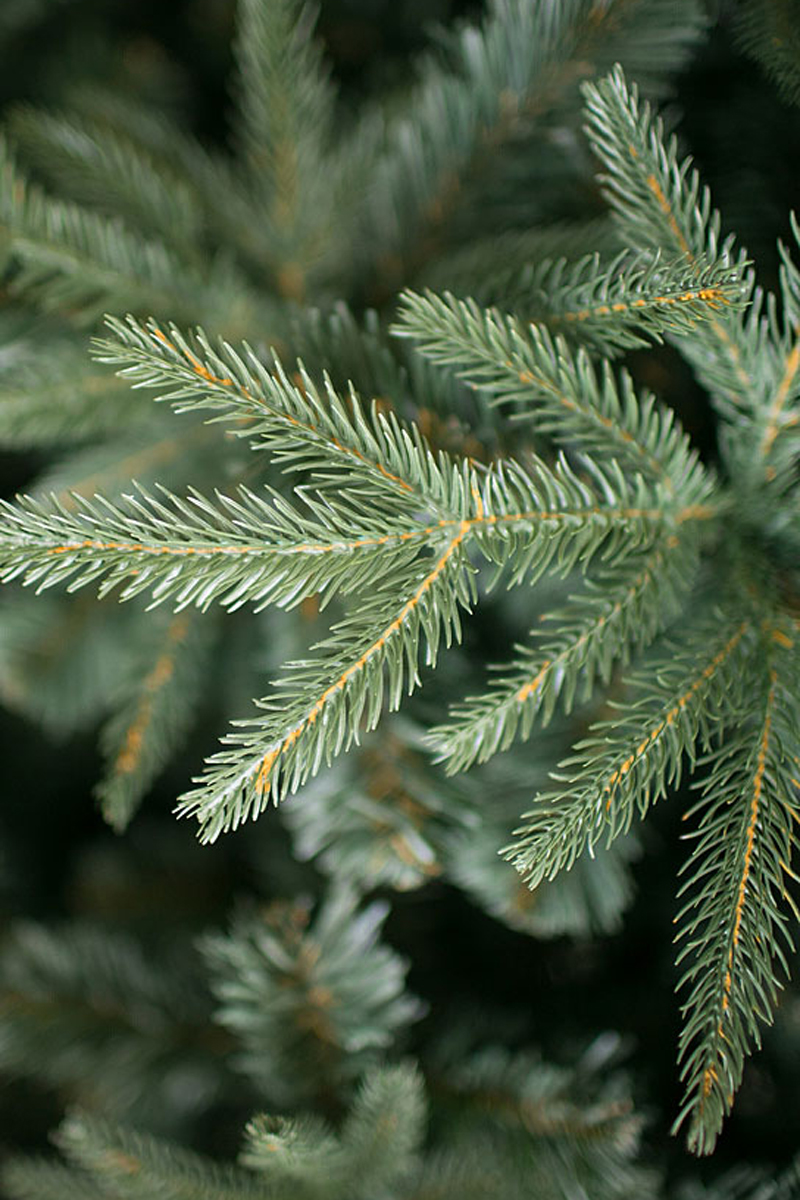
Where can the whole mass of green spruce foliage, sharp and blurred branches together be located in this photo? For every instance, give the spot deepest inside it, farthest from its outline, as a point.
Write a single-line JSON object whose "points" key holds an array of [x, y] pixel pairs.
{"points": [[380, 493]]}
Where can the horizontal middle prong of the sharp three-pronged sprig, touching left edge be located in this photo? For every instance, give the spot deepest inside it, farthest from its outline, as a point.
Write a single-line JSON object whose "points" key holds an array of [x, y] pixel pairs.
{"points": [[246, 550]]}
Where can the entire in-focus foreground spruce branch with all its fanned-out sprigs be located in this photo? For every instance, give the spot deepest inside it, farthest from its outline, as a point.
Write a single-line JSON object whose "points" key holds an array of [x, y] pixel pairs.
{"points": [[603, 485]]}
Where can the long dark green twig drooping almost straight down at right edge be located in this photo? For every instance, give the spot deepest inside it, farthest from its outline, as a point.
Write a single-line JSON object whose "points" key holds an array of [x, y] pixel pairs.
{"points": [[735, 923]]}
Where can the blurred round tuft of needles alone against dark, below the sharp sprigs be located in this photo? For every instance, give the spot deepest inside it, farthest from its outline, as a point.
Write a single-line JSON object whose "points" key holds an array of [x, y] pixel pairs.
{"points": [[299, 995]]}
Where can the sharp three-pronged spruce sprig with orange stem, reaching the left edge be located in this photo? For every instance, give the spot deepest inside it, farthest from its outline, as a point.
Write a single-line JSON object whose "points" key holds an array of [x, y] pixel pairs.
{"points": [[526, 519]]}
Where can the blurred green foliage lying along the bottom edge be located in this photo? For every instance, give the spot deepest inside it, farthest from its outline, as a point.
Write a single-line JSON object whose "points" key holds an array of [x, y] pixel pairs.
{"points": [[537, 1132]]}
